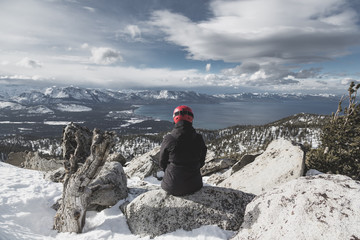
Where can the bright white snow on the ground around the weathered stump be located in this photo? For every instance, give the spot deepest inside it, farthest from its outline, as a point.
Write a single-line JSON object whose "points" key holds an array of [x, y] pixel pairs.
{"points": [[25, 213]]}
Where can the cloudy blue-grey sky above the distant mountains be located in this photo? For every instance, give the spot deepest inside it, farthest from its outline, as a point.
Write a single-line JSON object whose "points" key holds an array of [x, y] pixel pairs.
{"points": [[232, 45]]}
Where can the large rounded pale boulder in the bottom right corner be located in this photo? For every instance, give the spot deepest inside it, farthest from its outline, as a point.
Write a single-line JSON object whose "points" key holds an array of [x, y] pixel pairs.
{"points": [[315, 207]]}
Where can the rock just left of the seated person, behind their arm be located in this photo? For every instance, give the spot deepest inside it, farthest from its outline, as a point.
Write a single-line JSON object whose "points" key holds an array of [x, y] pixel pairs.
{"points": [[145, 165]]}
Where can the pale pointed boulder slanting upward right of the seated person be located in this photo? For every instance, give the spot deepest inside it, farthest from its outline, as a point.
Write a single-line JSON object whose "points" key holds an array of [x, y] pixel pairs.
{"points": [[281, 162]]}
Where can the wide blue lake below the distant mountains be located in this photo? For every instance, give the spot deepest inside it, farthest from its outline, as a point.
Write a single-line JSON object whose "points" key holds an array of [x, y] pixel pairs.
{"points": [[217, 116]]}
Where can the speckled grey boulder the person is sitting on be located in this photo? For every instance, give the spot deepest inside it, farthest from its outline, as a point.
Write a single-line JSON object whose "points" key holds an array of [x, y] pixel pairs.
{"points": [[156, 212]]}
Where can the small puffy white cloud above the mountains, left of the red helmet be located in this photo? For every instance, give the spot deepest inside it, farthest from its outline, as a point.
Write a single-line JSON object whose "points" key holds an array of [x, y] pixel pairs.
{"points": [[105, 56]]}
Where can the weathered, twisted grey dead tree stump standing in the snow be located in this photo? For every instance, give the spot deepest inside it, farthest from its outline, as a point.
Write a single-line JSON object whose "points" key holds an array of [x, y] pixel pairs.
{"points": [[82, 166]]}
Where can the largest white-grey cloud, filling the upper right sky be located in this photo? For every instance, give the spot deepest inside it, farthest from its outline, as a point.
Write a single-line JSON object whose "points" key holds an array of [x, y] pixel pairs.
{"points": [[265, 30]]}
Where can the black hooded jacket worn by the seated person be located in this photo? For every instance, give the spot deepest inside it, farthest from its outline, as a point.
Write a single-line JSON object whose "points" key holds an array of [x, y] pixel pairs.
{"points": [[182, 154]]}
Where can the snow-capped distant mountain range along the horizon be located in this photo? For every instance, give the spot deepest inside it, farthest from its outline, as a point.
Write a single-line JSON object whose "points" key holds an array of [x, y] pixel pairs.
{"points": [[85, 96]]}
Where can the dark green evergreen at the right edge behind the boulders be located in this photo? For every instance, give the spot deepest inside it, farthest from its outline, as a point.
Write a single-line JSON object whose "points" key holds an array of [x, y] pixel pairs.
{"points": [[339, 152]]}
